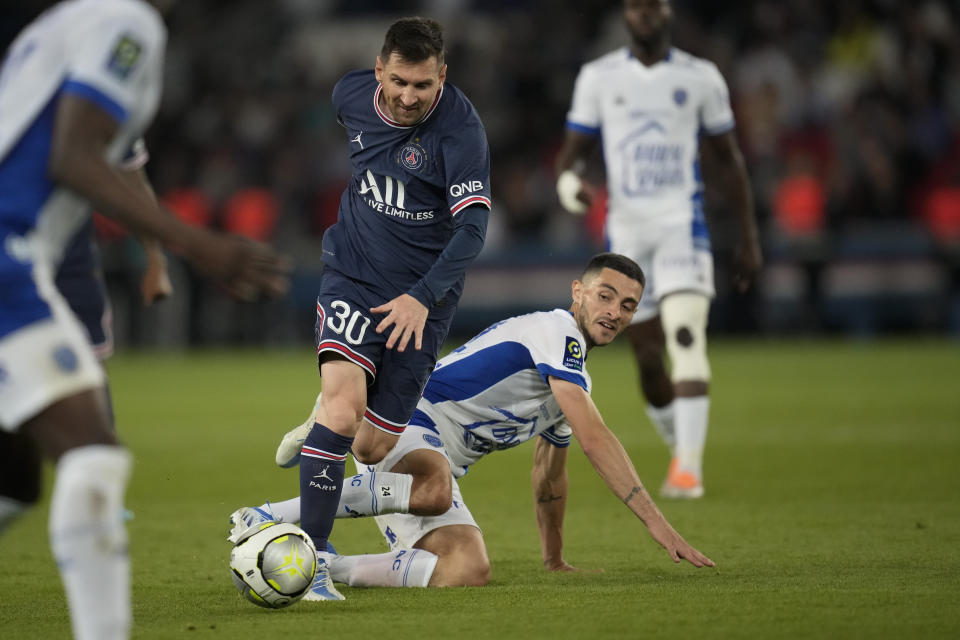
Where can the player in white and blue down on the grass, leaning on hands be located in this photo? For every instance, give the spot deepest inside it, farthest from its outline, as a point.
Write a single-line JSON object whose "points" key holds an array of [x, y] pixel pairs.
{"points": [[521, 378]]}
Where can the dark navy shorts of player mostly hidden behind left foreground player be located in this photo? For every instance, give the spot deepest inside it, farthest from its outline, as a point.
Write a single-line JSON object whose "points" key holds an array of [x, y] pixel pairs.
{"points": [[80, 280]]}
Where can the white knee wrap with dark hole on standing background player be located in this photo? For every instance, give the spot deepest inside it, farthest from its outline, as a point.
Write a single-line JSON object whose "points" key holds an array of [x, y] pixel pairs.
{"points": [[684, 317]]}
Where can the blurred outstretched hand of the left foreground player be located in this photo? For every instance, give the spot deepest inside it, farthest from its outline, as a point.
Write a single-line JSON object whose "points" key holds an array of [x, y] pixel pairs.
{"points": [[249, 270]]}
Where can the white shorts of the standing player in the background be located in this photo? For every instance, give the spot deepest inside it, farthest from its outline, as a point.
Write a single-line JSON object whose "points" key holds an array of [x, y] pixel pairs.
{"points": [[672, 260]]}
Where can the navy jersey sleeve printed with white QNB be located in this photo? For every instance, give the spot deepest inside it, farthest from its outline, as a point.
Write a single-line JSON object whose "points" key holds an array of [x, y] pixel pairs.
{"points": [[466, 162]]}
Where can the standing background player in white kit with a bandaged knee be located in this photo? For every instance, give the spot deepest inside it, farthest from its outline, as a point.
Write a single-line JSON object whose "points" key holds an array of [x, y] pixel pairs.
{"points": [[654, 105]]}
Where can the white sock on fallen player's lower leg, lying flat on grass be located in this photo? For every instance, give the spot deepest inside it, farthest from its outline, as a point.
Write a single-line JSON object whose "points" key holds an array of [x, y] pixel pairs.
{"points": [[404, 568]]}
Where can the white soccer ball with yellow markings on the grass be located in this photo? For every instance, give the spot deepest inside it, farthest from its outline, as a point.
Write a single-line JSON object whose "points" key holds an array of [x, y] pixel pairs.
{"points": [[274, 564]]}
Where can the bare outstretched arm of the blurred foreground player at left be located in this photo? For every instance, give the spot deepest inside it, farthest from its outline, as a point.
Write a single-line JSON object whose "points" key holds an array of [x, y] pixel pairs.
{"points": [[82, 132]]}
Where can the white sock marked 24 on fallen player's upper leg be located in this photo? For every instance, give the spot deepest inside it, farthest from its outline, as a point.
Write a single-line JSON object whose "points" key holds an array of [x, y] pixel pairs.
{"points": [[365, 494]]}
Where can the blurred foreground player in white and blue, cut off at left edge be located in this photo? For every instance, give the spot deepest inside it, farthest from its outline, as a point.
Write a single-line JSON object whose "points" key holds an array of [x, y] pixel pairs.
{"points": [[78, 87]]}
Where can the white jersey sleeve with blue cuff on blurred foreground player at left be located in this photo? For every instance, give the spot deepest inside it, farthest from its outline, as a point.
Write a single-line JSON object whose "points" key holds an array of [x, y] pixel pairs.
{"points": [[115, 57]]}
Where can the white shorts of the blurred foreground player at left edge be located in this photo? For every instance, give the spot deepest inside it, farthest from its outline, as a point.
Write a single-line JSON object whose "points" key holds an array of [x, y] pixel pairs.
{"points": [[44, 362]]}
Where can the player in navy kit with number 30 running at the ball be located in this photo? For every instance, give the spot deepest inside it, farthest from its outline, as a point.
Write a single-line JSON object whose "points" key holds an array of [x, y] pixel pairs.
{"points": [[413, 216]]}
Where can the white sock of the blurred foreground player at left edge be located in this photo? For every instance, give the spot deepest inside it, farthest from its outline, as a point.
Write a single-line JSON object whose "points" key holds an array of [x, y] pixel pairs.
{"points": [[89, 540]]}
